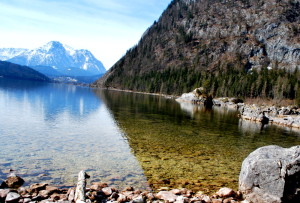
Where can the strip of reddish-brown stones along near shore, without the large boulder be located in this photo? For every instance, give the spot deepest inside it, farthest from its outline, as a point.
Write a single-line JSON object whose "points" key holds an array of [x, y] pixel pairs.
{"points": [[12, 192]]}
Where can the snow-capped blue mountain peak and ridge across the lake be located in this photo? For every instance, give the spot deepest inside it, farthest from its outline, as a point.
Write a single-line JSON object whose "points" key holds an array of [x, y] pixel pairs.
{"points": [[60, 57]]}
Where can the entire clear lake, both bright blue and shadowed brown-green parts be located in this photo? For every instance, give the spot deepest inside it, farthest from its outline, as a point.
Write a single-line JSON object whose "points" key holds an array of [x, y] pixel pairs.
{"points": [[49, 132]]}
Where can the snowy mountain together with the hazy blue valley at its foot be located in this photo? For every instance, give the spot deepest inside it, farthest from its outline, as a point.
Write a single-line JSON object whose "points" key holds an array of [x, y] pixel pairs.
{"points": [[57, 61]]}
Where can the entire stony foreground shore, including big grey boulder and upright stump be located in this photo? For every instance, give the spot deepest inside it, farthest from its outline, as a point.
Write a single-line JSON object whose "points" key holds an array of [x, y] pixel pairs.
{"points": [[269, 174]]}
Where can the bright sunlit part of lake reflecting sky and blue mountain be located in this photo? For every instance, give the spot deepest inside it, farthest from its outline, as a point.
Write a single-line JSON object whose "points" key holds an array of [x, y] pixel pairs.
{"points": [[49, 132]]}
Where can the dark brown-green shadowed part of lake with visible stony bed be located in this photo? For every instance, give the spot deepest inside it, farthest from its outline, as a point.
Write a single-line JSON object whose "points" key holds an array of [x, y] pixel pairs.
{"points": [[183, 145]]}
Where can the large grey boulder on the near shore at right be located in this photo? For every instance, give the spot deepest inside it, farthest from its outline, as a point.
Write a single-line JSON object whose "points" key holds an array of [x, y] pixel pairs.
{"points": [[271, 174]]}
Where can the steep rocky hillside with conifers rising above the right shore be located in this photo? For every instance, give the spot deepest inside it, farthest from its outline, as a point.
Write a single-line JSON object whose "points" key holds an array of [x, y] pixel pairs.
{"points": [[248, 48]]}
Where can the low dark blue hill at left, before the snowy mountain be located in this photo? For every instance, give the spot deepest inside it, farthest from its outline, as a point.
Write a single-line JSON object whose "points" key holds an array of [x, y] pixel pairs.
{"points": [[10, 70]]}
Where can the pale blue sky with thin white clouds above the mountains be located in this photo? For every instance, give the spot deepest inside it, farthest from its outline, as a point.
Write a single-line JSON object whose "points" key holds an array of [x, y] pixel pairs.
{"points": [[105, 27]]}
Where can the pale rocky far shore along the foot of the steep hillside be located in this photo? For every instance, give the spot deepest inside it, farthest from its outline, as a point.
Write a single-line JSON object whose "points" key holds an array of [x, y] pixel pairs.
{"points": [[284, 116]]}
